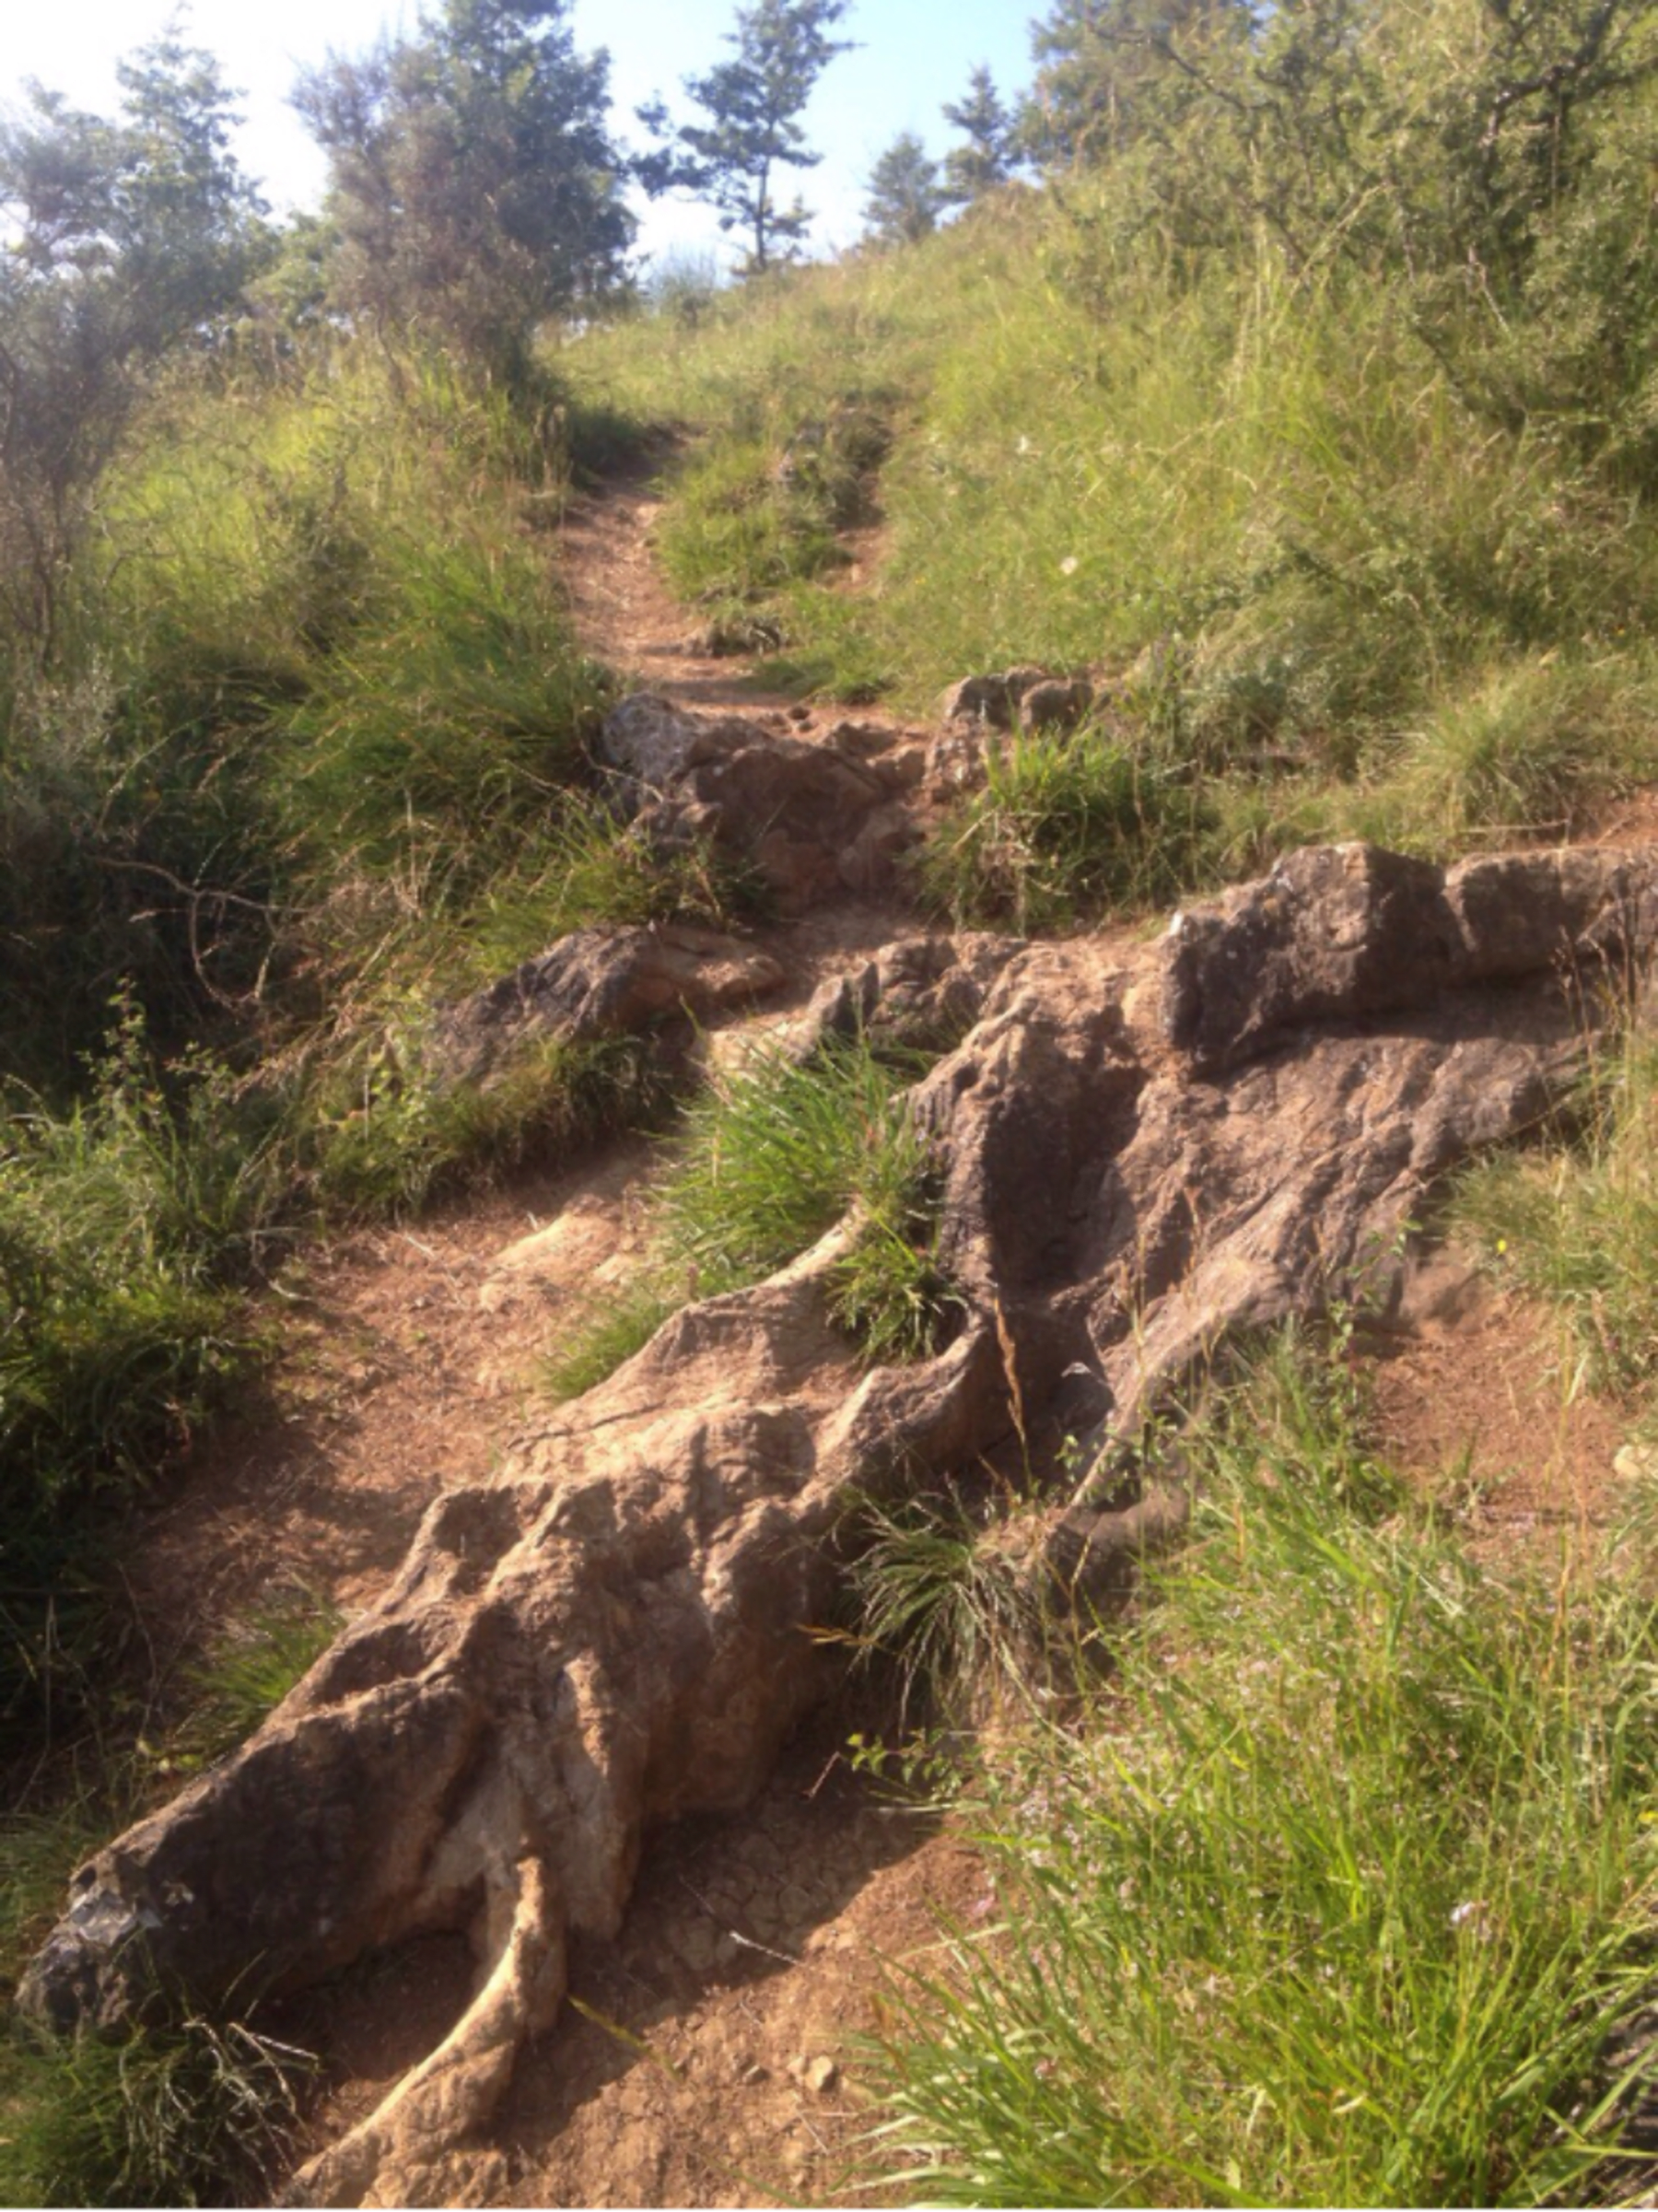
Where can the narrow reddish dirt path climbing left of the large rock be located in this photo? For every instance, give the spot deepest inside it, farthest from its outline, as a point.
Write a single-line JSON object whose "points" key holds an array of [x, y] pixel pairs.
{"points": [[410, 1353]]}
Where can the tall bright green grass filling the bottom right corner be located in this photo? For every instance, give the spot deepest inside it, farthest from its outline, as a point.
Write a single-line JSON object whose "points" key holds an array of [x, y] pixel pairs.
{"points": [[1341, 1892]]}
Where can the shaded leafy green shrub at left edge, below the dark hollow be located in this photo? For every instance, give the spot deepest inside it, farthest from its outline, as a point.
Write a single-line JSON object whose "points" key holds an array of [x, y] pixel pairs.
{"points": [[125, 1229]]}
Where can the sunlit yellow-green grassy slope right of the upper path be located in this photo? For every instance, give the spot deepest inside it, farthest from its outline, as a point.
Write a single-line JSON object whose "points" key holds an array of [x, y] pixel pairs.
{"points": [[1305, 567]]}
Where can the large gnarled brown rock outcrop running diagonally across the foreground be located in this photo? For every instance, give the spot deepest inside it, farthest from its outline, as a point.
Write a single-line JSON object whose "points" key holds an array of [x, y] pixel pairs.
{"points": [[1146, 1147]]}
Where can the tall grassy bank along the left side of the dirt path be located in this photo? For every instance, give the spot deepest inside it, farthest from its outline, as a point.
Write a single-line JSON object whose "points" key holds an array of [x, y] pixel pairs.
{"points": [[311, 766]]}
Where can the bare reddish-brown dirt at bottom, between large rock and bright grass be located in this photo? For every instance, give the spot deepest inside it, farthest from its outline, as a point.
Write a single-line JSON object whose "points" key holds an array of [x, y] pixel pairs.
{"points": [[715, 2063]]}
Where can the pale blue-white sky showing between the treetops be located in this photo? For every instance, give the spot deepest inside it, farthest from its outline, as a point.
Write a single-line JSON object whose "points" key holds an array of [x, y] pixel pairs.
{"points": [[912, 56]]}
